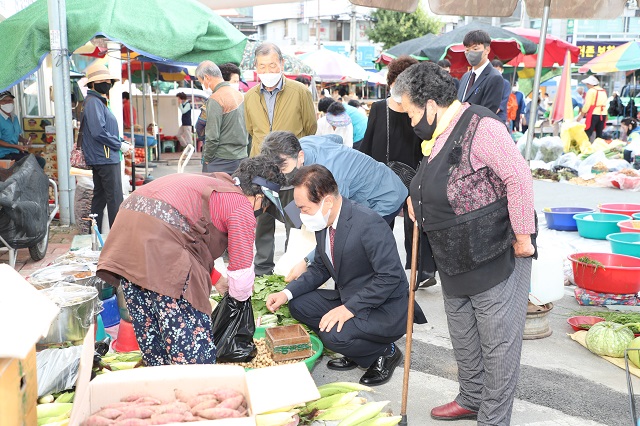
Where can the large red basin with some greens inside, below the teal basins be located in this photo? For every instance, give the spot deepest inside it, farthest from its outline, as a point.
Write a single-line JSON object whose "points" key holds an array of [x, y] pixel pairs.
{"points": [[619, 274]]}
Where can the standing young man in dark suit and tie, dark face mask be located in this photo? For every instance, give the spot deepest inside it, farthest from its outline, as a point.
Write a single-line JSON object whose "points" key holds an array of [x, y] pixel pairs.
{"points": [[483, 84]]}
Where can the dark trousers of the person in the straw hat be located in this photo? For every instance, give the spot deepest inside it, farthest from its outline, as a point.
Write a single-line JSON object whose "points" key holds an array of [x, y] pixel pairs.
{"points": [[107, 191]]}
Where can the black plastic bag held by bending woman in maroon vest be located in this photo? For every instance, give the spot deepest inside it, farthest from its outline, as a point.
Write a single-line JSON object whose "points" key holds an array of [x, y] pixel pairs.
{"points": [[233, 327]]}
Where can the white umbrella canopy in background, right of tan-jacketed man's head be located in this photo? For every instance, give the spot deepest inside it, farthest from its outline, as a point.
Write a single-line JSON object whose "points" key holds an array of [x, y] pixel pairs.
{"points": [[330, 65]]}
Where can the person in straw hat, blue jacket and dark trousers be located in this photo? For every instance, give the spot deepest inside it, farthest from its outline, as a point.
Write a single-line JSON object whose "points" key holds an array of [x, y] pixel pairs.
{"points": [[102, 145]]}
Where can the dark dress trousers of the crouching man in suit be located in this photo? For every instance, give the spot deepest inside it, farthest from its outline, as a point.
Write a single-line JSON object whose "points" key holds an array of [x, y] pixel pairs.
{"points": [[351, 341]]}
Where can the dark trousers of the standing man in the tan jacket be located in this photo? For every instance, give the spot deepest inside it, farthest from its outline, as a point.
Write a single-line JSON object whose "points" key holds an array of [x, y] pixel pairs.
{"points": [[265, 235]]}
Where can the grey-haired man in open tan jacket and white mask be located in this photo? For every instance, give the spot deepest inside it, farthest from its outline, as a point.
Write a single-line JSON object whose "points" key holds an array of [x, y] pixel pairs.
{"points": [[277, 103]]}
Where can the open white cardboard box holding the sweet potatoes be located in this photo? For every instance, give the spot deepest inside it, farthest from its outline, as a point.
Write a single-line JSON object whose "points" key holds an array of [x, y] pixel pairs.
{"points": [[266, 389]]}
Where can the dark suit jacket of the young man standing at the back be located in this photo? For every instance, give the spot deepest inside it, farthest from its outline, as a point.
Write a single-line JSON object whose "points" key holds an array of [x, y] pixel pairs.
{"points": [[487, 90]]}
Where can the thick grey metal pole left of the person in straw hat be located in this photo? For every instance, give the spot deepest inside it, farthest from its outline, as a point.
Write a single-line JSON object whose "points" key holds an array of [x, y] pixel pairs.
{"points": [[62, 137]]}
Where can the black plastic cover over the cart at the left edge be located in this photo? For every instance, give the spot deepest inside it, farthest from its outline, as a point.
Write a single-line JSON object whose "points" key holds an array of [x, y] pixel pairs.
{"points": [[24, 203]]}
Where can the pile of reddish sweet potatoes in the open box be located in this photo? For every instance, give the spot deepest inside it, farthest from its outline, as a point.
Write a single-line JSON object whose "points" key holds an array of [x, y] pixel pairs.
{"points": [[138, 410]]}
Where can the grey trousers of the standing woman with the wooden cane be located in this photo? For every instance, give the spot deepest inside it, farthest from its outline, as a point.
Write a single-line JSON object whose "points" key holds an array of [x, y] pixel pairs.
{"points": [[486, 332]]}
